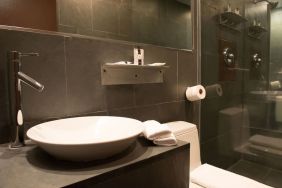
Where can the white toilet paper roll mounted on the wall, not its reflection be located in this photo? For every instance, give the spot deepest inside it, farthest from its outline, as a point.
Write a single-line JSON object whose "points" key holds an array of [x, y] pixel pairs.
{"points": [[195, 93]]}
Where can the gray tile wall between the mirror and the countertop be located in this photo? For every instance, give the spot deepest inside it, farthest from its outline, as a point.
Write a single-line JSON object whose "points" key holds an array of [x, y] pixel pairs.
{"points": [[69, 67]]}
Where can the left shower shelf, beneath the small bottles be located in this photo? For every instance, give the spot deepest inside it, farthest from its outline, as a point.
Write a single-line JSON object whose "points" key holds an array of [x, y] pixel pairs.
{"points": [[231, 20]]}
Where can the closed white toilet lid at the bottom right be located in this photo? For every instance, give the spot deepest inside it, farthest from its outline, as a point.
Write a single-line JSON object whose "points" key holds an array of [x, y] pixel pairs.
{"points": [[210, 176]]}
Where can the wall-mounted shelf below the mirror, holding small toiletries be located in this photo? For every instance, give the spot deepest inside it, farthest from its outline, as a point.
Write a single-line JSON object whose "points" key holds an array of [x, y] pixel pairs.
{"points": [[132, 74]]}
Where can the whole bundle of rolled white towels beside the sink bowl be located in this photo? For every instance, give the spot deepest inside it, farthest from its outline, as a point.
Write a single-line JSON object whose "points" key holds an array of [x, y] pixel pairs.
{"points": [[160, 134]]}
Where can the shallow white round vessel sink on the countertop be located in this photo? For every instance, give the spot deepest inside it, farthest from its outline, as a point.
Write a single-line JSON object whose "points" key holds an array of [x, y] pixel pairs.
{"points": [[86, 138]]}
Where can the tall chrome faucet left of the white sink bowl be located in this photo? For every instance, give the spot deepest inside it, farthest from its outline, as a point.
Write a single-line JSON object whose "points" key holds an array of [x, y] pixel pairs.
{"points": [[16, 77]]}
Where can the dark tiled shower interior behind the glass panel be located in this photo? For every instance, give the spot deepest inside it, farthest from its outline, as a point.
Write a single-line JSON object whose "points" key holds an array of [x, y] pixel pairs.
{"points": [[244, 125]]}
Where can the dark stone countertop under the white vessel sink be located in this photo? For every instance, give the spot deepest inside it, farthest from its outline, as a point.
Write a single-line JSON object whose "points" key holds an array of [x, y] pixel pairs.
{"points": [[31, 167]]}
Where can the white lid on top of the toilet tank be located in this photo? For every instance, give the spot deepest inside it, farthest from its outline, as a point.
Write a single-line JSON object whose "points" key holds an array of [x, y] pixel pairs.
{"points": [[181, 127]]}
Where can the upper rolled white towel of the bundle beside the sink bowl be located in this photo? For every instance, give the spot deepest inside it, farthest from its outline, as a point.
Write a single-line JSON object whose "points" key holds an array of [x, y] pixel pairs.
{"points": [[153, 129]]}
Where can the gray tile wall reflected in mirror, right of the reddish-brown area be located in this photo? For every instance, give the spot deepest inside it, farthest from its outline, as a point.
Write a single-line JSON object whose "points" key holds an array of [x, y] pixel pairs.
{"points": [[159, 22]]}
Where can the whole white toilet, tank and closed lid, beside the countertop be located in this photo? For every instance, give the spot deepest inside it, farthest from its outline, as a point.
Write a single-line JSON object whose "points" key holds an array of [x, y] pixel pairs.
{"points": [[204, 175]]}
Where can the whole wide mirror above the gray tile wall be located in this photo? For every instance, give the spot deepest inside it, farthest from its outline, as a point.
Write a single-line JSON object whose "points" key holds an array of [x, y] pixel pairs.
{"points": [[165, 23]]}
